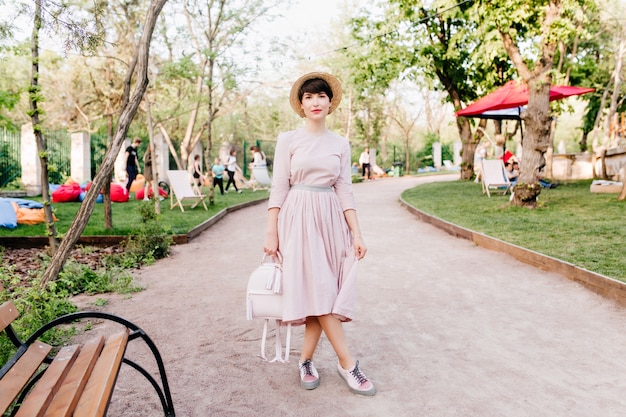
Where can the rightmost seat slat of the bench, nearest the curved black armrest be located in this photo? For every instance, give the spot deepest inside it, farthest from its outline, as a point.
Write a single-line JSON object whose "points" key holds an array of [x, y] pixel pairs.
{"points": [[95, 398]]}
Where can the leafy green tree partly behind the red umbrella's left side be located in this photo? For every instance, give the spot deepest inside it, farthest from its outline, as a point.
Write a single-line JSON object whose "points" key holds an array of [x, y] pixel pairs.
{"points": [[444, 45]]}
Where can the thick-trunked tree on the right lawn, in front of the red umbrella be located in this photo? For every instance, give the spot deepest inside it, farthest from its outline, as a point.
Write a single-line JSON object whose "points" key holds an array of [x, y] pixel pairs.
{"points": [[545, 22]]}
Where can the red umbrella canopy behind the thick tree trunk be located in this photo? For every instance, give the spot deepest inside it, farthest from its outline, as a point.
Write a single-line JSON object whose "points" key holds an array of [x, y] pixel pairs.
{"points": [[507, 101]]}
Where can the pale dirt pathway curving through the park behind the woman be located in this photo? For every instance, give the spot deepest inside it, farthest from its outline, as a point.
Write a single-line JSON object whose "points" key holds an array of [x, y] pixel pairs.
{"points": [[443, 328]]}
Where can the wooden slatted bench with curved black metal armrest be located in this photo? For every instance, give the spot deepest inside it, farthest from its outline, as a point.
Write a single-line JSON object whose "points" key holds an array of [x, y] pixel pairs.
{"points": [[79, 379]]}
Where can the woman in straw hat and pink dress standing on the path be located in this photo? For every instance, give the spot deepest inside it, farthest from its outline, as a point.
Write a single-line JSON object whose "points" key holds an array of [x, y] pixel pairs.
{"points": [[312, 221]]}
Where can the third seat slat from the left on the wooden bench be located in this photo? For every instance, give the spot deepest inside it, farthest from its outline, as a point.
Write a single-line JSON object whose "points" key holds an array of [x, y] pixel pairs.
{"points": [[67, 397]]}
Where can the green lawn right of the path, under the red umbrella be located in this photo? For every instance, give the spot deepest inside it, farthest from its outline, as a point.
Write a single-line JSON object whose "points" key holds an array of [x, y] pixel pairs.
{"points": [[571, 223]]}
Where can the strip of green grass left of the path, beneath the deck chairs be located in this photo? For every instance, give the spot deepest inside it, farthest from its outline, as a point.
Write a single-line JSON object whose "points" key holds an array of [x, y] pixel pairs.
{"points": [[126, 216]]}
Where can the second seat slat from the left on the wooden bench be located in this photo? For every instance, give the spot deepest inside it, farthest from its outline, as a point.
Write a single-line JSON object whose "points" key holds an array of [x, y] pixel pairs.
{"points": [[42, 394]]}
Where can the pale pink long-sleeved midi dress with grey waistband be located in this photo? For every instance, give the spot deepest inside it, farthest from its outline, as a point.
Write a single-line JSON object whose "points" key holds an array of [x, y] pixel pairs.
{"points": [[312, 186]]}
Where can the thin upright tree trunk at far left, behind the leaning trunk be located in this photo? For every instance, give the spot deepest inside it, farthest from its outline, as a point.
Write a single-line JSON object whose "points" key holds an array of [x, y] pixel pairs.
{"points": [[34, 98]]}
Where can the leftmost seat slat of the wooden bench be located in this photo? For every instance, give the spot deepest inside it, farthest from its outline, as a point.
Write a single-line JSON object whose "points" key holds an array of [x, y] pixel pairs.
{"points": [[21, 372]]}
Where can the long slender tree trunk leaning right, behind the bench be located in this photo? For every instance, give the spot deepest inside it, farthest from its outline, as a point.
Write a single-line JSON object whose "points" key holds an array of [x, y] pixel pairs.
{"points": [[129, 108]]}
